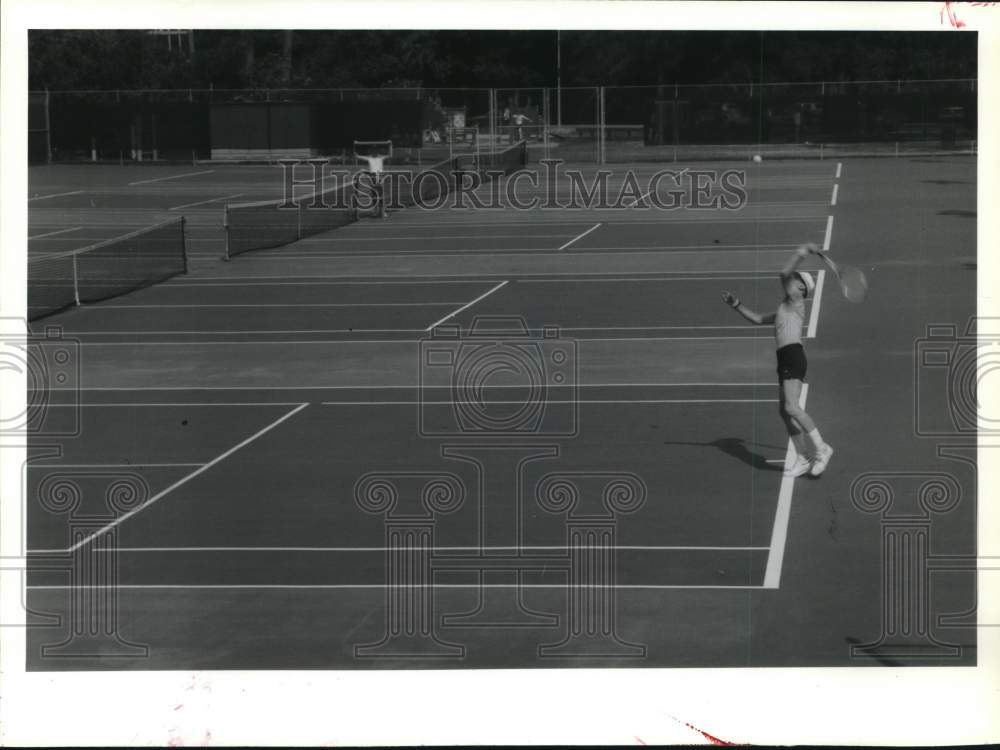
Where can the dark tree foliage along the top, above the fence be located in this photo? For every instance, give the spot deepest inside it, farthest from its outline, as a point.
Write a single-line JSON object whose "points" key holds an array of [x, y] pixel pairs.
{"points": [[106, 59]]}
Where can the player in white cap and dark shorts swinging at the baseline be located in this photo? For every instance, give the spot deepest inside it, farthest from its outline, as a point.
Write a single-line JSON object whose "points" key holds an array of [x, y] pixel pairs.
{"points": [[812, 454]]}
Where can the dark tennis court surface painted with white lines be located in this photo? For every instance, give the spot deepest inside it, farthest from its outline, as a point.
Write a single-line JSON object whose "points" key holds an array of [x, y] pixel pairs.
{"points": [[492, 437]]}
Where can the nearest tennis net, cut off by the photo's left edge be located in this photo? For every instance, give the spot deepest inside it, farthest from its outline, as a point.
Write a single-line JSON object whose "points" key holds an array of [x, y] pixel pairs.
{"points": [[107, 269]]}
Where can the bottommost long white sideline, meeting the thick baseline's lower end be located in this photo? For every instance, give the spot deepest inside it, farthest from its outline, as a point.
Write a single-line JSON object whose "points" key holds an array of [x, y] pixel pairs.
{"points": [[557, 586]]}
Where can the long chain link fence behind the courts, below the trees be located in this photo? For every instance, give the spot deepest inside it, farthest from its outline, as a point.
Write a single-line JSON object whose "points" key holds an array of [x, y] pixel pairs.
{"points": [[593, 124]]}
